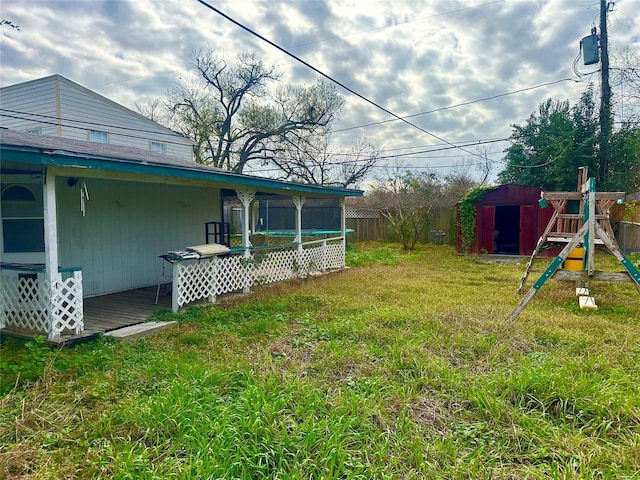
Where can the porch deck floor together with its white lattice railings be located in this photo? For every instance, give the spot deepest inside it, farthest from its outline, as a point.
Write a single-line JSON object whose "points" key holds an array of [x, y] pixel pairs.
{"points": [[32, 305]]}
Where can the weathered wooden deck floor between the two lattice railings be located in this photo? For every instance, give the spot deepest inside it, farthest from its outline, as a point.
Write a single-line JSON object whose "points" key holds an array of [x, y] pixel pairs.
{"points": [[110, 312]]}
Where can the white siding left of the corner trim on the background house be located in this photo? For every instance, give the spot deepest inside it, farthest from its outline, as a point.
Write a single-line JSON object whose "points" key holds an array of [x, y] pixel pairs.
{"points": [[31, 98]]}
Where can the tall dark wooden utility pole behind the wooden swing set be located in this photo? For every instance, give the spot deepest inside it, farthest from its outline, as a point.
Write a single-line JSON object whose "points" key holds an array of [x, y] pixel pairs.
{"points": [[606, 124]]}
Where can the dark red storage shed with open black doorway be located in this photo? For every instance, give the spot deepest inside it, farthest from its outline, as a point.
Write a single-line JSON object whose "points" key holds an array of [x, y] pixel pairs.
{"points": [[508, 221]]}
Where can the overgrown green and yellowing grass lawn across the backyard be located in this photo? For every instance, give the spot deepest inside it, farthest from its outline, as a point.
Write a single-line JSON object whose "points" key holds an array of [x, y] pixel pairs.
{"points": [[401, 367]]}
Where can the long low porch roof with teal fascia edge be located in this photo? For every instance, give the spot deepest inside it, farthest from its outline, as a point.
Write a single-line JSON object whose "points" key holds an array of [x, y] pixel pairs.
{"points": [[44, 150]]}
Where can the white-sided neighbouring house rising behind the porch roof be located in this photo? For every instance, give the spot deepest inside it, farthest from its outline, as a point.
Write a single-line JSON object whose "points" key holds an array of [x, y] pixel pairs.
{"points": [[57, 106]]}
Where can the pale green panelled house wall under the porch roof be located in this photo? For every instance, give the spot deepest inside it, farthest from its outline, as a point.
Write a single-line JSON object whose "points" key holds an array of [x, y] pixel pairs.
{"points": [[126, 226]]}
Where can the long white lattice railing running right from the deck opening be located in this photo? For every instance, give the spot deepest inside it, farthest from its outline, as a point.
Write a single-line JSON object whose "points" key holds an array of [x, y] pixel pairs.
{"points": [[205, 280]]}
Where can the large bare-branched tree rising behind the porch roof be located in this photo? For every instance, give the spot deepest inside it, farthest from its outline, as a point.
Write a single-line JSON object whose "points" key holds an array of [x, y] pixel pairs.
{"points": [[236, 120]]}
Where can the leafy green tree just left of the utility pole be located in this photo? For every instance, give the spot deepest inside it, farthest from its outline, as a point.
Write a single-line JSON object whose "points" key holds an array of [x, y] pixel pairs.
{"points": [[555, 141]]}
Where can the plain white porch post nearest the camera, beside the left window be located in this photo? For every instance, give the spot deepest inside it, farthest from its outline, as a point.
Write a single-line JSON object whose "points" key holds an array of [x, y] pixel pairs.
{"points": [[50, 247]]}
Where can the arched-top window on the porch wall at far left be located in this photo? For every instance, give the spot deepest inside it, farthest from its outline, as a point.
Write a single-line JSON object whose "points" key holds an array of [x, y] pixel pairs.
{"points": [[22, 219]]}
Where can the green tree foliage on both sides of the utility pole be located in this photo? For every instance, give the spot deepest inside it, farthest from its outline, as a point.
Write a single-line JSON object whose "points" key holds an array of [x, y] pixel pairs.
{"points": [[557, 139]]}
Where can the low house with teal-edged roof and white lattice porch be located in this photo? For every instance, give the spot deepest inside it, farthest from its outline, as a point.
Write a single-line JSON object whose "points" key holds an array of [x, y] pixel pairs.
{"points": [[84, 219]]}
